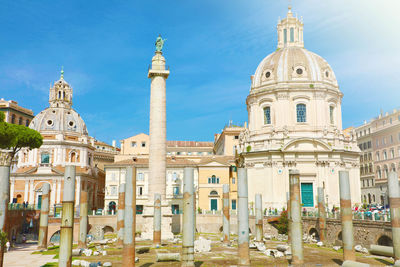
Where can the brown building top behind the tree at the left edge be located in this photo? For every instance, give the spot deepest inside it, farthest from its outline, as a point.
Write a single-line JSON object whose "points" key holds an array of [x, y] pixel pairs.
{"points": [[14, 113]]}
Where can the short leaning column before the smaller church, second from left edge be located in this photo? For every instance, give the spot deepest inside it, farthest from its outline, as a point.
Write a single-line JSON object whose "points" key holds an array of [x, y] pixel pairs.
{"points": [[44, 217]]}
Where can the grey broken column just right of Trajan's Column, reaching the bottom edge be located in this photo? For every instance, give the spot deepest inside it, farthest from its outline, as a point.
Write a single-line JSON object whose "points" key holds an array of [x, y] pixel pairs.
{"points": [[188, 218]]}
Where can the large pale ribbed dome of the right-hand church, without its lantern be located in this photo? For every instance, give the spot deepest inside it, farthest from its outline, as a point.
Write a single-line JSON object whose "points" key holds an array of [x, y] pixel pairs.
{"points": [[293, 64]]}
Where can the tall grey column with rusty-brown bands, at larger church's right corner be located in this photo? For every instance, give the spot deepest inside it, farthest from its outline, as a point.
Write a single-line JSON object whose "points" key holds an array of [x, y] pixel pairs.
{"points": [[346, 216]]}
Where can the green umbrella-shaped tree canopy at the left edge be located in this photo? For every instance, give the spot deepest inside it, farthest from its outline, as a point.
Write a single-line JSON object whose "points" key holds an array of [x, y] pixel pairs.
{"points": [[15, 137]]}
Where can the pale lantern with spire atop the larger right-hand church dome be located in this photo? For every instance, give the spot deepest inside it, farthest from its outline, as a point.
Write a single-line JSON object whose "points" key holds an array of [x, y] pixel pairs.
{"points": [[290, 31]]}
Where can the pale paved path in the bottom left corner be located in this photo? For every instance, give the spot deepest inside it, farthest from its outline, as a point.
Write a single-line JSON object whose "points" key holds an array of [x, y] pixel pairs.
{"points": [[21, 256]]}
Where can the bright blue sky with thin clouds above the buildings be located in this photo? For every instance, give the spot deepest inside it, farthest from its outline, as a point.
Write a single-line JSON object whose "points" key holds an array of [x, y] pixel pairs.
{"points": [[212, 48]]}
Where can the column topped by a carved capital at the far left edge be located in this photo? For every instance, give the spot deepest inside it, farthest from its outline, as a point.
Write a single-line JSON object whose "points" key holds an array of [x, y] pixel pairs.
{"points": [[5, 163]]}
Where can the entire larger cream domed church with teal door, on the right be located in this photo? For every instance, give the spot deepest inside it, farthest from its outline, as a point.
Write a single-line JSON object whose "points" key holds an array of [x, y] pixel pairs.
{"points": [[295, 122]]}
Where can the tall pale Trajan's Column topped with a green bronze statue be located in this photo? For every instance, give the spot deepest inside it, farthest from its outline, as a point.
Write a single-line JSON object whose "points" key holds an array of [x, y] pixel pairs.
{"points": [[158, 73]]}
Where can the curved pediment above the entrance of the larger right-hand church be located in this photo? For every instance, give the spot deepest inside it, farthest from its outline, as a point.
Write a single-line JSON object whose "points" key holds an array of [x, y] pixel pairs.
{"points": [[306, 145]]}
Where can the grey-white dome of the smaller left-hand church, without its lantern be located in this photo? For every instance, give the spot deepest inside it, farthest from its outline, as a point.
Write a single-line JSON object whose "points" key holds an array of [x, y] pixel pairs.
{"points": [[59, 120]]}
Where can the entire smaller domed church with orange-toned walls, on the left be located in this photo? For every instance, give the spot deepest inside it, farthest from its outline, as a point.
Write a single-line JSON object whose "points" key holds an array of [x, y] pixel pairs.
{"points": [[65, 142]]}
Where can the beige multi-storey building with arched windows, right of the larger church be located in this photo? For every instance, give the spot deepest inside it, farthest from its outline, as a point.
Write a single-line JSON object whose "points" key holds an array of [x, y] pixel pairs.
{"points": [[379, 141]]}
